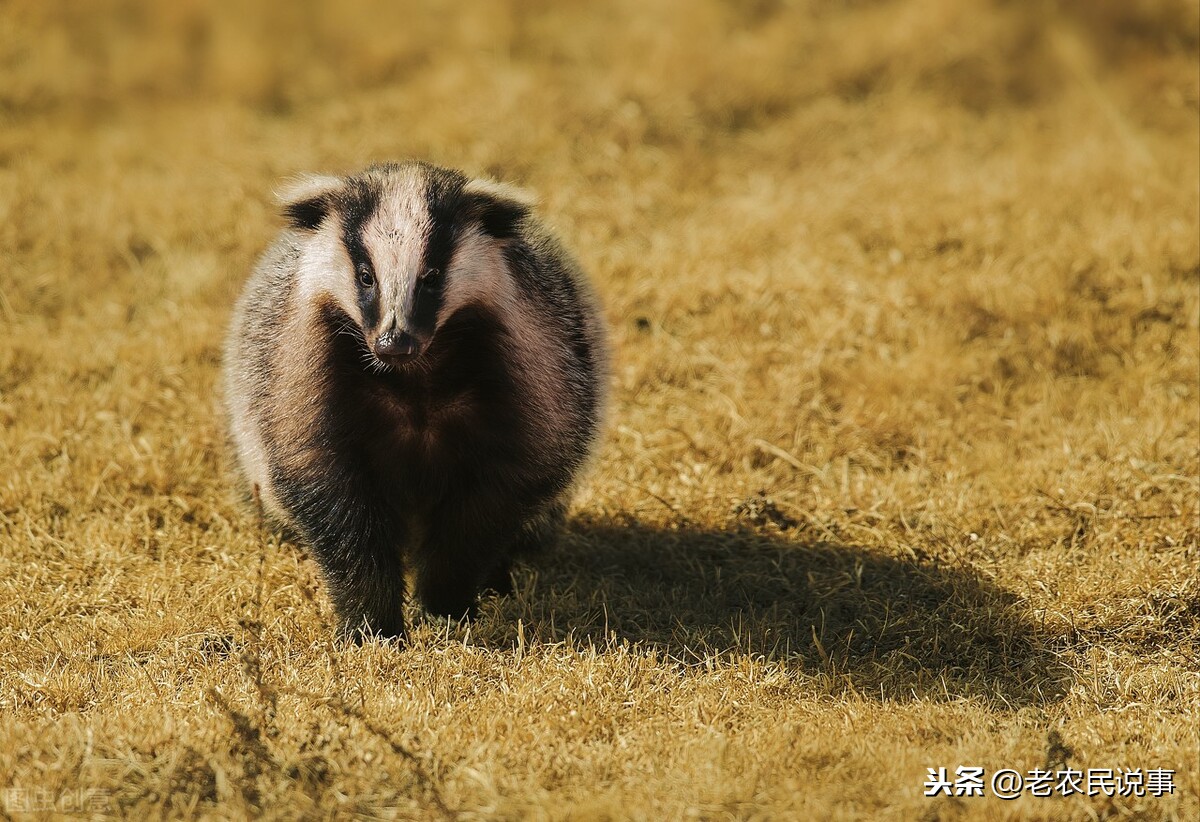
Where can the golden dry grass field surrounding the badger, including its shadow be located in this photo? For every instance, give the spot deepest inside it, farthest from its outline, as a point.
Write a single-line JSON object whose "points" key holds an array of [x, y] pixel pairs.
{"points": [[902, 464]]}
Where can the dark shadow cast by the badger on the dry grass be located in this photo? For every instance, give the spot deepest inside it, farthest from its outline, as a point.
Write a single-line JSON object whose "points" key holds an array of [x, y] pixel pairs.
{"points": [[887, 627]]}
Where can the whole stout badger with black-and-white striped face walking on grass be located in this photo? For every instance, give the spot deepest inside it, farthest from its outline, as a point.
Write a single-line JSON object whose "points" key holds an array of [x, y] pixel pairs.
{"points": [[415, 379]]}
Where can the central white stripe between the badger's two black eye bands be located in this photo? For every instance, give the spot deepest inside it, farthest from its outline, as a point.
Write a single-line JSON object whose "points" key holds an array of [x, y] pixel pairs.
{"points": [[395, 238]]}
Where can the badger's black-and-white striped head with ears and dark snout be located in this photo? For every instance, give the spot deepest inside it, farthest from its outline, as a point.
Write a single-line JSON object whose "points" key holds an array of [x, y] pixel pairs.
{"points": [[401, 247]]}
